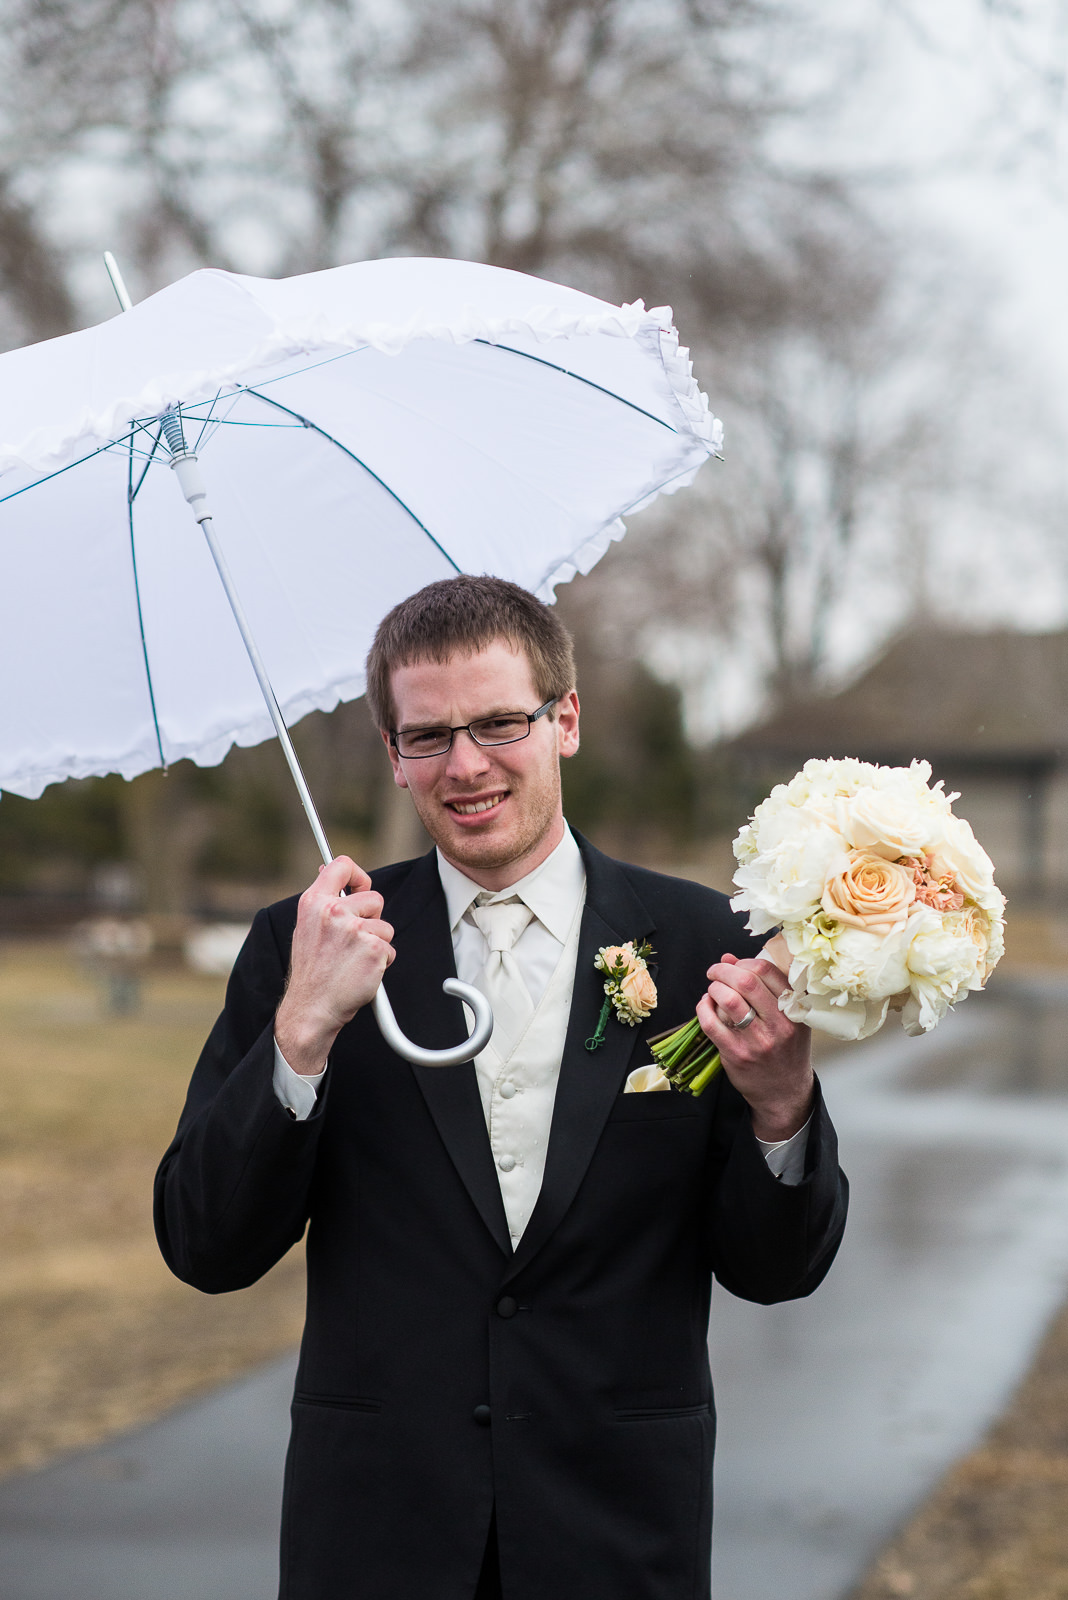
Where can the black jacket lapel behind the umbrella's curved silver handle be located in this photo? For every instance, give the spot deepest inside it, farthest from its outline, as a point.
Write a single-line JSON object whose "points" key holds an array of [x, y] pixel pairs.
{"points": [[437, 1020]]}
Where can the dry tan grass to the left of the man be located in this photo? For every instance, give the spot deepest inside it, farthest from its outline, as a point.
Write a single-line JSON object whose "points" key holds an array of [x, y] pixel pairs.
{"points": [[98, 1337]]}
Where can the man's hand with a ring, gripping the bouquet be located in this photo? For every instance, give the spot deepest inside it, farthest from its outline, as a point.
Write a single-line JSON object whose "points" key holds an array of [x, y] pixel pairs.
{"points": [[770, 1060]]}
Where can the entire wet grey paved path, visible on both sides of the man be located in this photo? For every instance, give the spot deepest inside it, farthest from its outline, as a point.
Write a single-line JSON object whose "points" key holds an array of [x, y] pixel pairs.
{"points": [[837, 1414]]}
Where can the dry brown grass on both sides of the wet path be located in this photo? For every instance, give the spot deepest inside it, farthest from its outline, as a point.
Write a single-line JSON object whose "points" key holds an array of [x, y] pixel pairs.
{"points": [[100, 1338]]}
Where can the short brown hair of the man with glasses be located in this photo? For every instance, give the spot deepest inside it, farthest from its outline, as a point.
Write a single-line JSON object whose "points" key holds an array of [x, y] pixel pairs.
{"points": [[460, 617]]}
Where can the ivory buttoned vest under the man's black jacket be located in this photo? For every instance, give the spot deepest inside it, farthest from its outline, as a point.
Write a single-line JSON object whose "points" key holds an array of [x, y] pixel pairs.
{"points": [[519, 1090]]}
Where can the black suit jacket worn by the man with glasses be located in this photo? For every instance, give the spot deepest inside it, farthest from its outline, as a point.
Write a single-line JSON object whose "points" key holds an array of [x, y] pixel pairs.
{"points": [[440, 1374]]}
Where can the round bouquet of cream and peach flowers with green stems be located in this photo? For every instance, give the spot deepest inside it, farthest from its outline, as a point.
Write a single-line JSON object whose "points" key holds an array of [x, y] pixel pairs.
{"points": [[883, 900]]}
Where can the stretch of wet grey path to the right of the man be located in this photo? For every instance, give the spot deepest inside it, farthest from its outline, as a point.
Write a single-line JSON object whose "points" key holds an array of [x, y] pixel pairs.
{"points": [[839, 1415]]}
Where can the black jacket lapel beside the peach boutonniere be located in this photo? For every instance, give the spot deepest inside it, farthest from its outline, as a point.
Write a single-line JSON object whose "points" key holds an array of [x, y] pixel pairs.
{"points": [[589, 1081]]}
